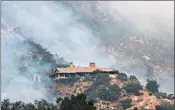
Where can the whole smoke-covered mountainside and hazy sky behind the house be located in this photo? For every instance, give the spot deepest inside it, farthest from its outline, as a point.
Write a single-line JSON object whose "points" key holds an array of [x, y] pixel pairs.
{"points": [[54, 34]]}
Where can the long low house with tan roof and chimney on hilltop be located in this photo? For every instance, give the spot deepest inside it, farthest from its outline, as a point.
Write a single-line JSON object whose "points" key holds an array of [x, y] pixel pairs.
{"points": [[60, 73]]}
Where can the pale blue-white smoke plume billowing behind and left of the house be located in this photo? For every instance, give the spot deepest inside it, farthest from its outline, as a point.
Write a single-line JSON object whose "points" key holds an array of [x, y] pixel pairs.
{"points": [[54, 27]]}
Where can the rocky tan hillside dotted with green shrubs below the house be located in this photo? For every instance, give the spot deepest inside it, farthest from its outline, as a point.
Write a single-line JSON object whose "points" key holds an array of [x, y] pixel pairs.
{"points": [[110, 93]]}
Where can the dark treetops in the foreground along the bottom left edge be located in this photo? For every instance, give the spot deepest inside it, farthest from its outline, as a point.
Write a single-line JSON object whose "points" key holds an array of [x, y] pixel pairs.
{"points": [[67, 103]]}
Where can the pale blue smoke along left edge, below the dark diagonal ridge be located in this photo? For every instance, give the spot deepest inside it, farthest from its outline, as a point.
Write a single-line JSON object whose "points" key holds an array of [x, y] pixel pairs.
{"points": [[17, 84]]}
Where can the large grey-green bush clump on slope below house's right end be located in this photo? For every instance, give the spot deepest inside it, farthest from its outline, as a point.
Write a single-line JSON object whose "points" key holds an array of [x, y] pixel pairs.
{"points": [[102, 89]]}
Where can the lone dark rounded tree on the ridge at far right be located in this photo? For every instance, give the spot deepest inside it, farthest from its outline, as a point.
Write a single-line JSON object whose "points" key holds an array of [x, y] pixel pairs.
{"points": [[152, 86]]}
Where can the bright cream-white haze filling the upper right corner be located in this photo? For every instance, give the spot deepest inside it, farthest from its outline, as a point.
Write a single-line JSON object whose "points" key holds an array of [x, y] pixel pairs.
{"points": [[150, 18]]}
